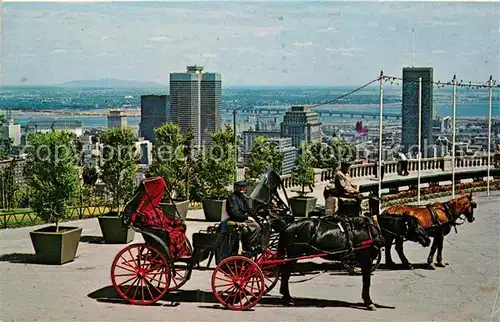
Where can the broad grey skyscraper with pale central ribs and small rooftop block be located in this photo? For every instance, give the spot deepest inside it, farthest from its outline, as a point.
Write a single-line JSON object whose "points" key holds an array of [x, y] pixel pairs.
{"points": [[195, 102]]}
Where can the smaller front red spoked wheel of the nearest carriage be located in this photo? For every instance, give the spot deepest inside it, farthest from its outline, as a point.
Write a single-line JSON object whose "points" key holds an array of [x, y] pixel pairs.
{"points": [[238, 283]]}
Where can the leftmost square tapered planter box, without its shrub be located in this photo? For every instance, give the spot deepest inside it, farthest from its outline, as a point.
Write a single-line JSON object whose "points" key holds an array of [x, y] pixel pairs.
{"points": [[53, 247]]}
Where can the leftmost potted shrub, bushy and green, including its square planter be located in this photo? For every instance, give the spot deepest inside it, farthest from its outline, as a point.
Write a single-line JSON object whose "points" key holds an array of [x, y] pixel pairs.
{"points": [[52, 175]]}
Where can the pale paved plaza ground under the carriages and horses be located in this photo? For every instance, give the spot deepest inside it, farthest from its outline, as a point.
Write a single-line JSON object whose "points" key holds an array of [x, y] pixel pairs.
{"points": [[465, 290]]}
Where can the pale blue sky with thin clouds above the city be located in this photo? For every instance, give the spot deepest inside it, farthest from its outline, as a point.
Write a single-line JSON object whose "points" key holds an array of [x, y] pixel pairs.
{"points": [[254, 43]]}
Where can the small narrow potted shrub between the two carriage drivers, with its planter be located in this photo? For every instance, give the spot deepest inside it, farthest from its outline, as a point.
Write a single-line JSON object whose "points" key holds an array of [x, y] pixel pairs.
{"points": [[304, 176]]}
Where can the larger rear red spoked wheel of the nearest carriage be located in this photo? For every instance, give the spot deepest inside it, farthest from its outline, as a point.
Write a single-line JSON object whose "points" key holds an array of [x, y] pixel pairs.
{"points": [[140, 274]]}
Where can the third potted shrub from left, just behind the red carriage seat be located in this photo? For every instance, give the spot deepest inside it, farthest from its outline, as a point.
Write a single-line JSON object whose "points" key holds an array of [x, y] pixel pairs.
{"points": [[172, 161]]}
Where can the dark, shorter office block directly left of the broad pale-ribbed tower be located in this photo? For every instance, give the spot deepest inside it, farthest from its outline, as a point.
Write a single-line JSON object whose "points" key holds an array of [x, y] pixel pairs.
{"points": [[154, 113]]}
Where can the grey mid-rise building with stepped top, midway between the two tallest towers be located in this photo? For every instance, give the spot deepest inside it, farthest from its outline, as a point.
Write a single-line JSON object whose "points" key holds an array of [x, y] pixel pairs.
{"points": [[301, 124]]}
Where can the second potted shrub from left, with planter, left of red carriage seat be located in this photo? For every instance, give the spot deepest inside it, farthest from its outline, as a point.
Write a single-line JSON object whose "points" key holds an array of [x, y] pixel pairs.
{"points": [[118, 172]]}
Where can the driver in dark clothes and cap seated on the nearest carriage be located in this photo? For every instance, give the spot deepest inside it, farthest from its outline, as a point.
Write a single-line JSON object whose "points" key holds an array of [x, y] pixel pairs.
{"points": [[239, 210]]}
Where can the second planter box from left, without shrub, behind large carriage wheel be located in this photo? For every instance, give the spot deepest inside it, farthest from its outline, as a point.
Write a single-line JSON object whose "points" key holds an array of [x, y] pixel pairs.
{"points": [[113, 231]]}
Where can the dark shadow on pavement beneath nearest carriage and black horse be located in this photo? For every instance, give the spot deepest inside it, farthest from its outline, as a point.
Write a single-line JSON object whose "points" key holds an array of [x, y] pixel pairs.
{"points": [[108, 295]]}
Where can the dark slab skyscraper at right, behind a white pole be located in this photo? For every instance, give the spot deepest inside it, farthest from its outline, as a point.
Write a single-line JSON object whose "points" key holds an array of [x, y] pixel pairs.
{"points": [[409, 133]]}
